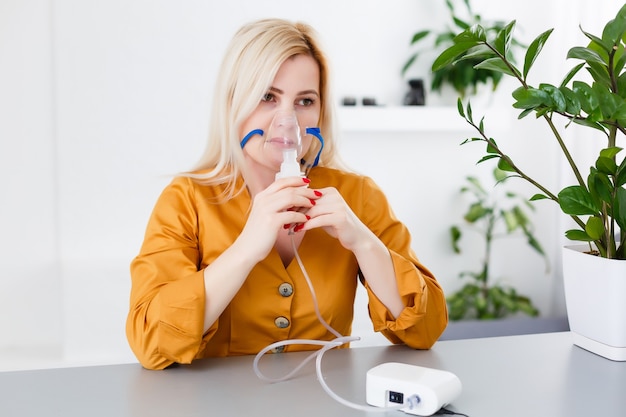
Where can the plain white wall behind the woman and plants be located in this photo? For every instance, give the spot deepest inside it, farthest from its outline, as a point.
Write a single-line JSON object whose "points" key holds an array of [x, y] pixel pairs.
{"points": [[101, 101]]}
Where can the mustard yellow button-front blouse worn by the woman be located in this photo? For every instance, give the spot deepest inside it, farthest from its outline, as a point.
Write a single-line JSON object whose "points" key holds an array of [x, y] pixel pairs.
{"points": [[188, 230]]}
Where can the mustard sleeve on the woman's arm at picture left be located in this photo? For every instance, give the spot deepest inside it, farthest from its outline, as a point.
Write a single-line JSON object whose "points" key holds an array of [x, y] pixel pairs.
{"points": [[166, 318]]}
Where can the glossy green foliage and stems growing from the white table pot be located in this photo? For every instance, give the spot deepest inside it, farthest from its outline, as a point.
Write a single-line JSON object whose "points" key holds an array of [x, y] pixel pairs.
{"points": [[597, 203]]}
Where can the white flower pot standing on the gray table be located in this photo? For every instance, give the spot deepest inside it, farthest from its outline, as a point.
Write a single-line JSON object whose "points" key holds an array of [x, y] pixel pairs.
{"points": [[595, 296]]}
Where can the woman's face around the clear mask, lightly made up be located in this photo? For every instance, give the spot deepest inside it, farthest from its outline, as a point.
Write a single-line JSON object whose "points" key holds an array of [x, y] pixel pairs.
{"points": [[294, 89]]}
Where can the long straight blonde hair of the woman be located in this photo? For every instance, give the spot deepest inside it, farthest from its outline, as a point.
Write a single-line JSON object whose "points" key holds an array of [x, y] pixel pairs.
{"points": [[250, 64]]}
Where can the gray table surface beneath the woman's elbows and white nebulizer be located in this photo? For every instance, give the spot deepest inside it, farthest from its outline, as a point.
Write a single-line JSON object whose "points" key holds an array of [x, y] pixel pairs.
{"points": [[528, 375]]}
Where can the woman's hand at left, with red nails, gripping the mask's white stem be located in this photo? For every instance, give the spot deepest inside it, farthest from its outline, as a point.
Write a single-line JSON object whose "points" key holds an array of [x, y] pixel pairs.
{"points": [[280, 205]]}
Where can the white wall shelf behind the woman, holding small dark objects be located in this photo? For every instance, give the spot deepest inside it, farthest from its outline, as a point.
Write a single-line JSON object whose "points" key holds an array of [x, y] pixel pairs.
{"points": [[399, 119]]}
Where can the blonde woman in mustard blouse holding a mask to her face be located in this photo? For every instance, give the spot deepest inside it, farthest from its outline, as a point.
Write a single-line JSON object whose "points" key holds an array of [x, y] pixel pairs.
{"points": [[216, 274]]}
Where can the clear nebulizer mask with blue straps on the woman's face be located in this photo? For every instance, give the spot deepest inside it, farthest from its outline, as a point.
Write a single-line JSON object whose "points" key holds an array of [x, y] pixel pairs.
{"points": [[282, 144]]}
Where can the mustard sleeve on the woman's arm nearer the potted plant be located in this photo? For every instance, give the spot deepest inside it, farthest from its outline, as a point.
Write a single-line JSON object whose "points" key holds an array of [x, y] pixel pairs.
{"points": [[425, 316]]}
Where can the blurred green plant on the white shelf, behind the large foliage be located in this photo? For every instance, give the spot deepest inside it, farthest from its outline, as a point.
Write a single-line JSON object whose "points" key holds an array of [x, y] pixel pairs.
{"points": [[462, 76]]}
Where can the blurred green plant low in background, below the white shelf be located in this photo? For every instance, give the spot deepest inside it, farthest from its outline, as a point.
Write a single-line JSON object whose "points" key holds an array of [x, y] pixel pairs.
{"points": [[482, 298]]}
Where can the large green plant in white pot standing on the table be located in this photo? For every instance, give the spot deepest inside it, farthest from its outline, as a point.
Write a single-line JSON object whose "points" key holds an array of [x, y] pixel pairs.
{"points": [[595, 203]]}
